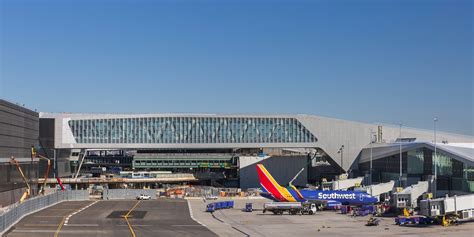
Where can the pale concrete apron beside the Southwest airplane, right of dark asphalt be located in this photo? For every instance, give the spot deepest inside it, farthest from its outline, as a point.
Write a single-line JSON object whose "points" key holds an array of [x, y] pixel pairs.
{"points": [[235, 222]]}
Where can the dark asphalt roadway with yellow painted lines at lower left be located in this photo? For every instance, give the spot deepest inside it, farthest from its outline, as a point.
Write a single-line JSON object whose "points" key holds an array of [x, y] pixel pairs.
{"points": [[163, 217]]}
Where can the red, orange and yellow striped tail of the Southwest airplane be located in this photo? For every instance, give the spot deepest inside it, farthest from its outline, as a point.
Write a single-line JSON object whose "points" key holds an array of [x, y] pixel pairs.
{"points": [[269, 183]]}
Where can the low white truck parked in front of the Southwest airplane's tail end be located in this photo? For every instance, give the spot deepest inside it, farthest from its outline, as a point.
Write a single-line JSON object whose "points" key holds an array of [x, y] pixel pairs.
{"points": [[293, 208]]}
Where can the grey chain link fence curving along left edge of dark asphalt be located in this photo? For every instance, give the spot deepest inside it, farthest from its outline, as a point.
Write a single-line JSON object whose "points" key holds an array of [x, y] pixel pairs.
{"points": [[12, 214]]}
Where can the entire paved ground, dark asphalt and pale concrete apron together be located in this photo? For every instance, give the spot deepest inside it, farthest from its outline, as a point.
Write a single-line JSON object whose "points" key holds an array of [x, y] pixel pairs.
{"points": [[177, 217]]}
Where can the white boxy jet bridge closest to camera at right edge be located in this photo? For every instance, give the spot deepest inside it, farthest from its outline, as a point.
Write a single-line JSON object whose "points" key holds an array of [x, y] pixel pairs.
{"points": [[455, 207]]}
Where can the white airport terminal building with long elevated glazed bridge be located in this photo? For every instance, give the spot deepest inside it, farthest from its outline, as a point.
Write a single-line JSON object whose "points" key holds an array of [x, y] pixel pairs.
{"points": [[222, 149]]}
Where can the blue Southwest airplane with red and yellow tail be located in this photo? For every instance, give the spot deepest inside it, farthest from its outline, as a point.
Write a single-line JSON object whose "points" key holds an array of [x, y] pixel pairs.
{"points": [[272, 190]]}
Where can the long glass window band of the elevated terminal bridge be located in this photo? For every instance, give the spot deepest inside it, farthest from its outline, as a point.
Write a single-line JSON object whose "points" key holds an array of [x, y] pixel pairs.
{"points": [[163, 130]]}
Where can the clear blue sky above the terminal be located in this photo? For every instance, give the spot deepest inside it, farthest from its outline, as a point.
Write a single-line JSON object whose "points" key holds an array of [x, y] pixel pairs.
{"points": [[369, 61]]}
